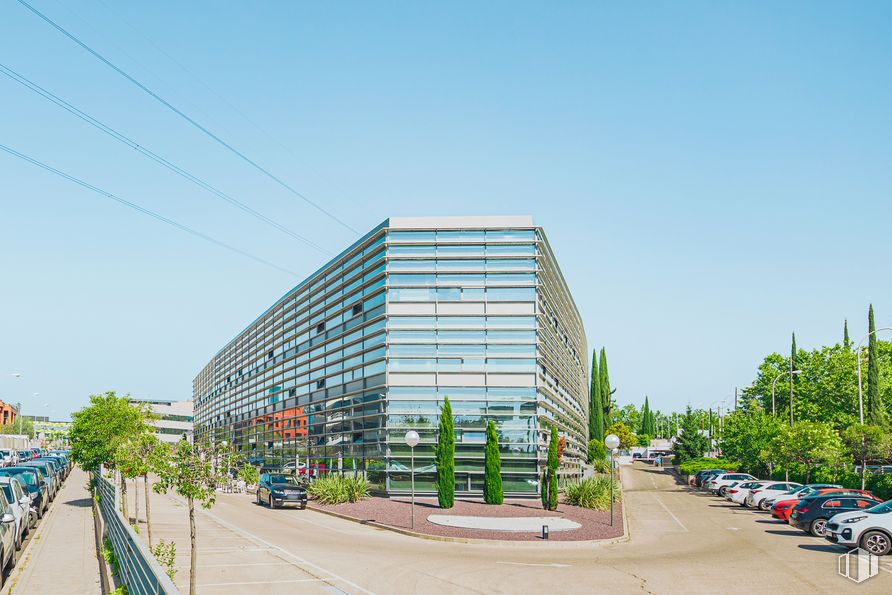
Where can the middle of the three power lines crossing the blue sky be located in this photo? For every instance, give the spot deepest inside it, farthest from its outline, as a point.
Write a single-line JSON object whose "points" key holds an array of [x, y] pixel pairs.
{"points": [[152, 155]]}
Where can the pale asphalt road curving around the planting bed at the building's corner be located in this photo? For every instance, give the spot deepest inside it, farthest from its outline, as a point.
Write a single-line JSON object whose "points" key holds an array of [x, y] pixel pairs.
{"points": [[681, 542]]}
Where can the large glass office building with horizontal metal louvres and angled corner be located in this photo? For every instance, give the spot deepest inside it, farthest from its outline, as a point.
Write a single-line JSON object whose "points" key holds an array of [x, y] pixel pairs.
{"points": [[335, 373]]}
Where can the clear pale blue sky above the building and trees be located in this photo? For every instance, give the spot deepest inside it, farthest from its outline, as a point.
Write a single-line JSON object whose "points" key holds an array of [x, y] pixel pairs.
{"points": [[711, 176]]}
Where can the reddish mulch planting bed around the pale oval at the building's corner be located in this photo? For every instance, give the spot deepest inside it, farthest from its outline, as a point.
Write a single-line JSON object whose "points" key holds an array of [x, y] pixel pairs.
{"points": [[395, 512]]}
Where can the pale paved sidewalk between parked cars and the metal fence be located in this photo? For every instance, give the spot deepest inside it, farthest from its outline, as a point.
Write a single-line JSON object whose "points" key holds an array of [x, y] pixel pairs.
{"points": [[61, 559]]}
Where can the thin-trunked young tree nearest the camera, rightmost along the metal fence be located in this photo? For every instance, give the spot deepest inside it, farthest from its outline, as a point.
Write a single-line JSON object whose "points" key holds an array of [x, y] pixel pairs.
{"points": [[190, 471]]}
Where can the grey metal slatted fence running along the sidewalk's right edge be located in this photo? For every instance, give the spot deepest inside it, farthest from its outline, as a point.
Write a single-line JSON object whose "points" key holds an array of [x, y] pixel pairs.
{"points": [[137, 567]]}
